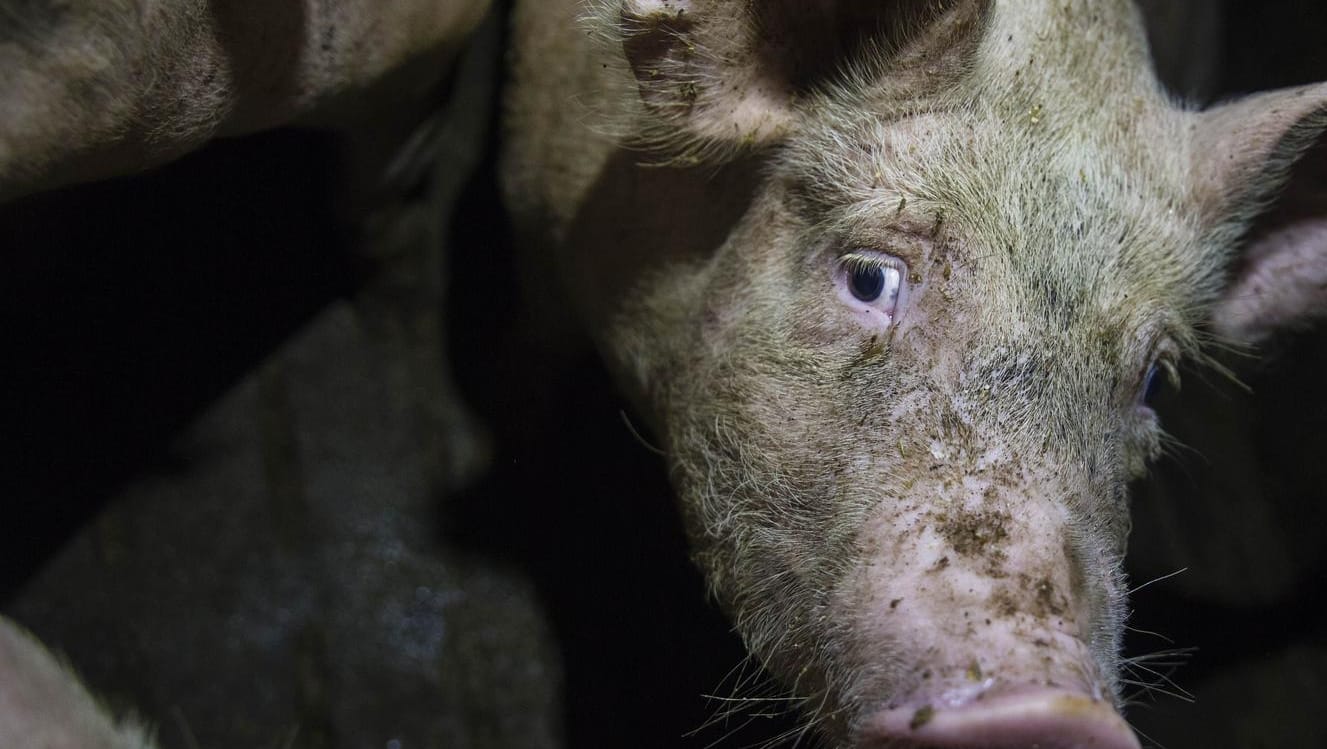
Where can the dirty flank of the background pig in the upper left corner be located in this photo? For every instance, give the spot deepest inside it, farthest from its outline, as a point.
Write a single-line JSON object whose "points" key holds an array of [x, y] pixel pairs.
{"points": [[102, 88]]}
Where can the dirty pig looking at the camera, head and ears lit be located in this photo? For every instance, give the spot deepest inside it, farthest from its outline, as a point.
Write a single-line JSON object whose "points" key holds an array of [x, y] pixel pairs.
{"points": [[892, 285]]}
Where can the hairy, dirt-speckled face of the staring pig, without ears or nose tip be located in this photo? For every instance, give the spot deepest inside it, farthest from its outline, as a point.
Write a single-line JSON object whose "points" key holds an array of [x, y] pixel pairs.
{"points": [[910, 408]]}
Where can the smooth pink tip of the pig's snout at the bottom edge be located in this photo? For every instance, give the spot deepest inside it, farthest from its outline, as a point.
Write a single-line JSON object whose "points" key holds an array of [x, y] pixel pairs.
{"points": [[1046, 719]]}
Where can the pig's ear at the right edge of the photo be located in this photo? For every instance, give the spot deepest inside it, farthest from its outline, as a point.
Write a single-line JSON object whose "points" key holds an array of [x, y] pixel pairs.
{"points": [[1263, 164]]}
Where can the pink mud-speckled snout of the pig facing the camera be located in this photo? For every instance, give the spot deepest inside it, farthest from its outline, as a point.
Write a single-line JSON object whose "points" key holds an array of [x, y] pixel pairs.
{"points": [[993, 609]]}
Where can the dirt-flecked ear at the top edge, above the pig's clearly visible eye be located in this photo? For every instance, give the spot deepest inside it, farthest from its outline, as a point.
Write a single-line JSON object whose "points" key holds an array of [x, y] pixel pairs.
{"points": [[734, 74]]}
